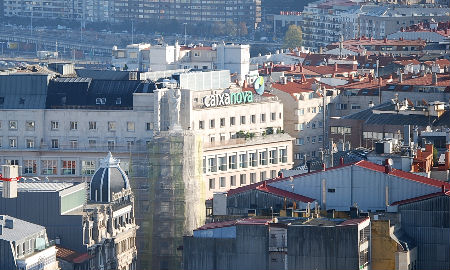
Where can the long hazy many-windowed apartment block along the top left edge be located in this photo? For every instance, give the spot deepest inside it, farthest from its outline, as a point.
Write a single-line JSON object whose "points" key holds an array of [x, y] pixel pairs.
{"points": [[237, 11]]}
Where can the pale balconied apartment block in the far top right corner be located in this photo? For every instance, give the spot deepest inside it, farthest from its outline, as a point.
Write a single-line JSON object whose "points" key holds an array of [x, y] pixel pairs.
{"points": [[324, 22]]}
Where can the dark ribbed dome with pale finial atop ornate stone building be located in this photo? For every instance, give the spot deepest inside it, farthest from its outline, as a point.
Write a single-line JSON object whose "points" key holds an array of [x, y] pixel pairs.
{"points": [[108, 179]]}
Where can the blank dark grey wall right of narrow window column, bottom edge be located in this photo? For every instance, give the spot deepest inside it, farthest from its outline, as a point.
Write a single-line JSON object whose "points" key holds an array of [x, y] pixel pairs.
{"points": [[316, 247]]}
